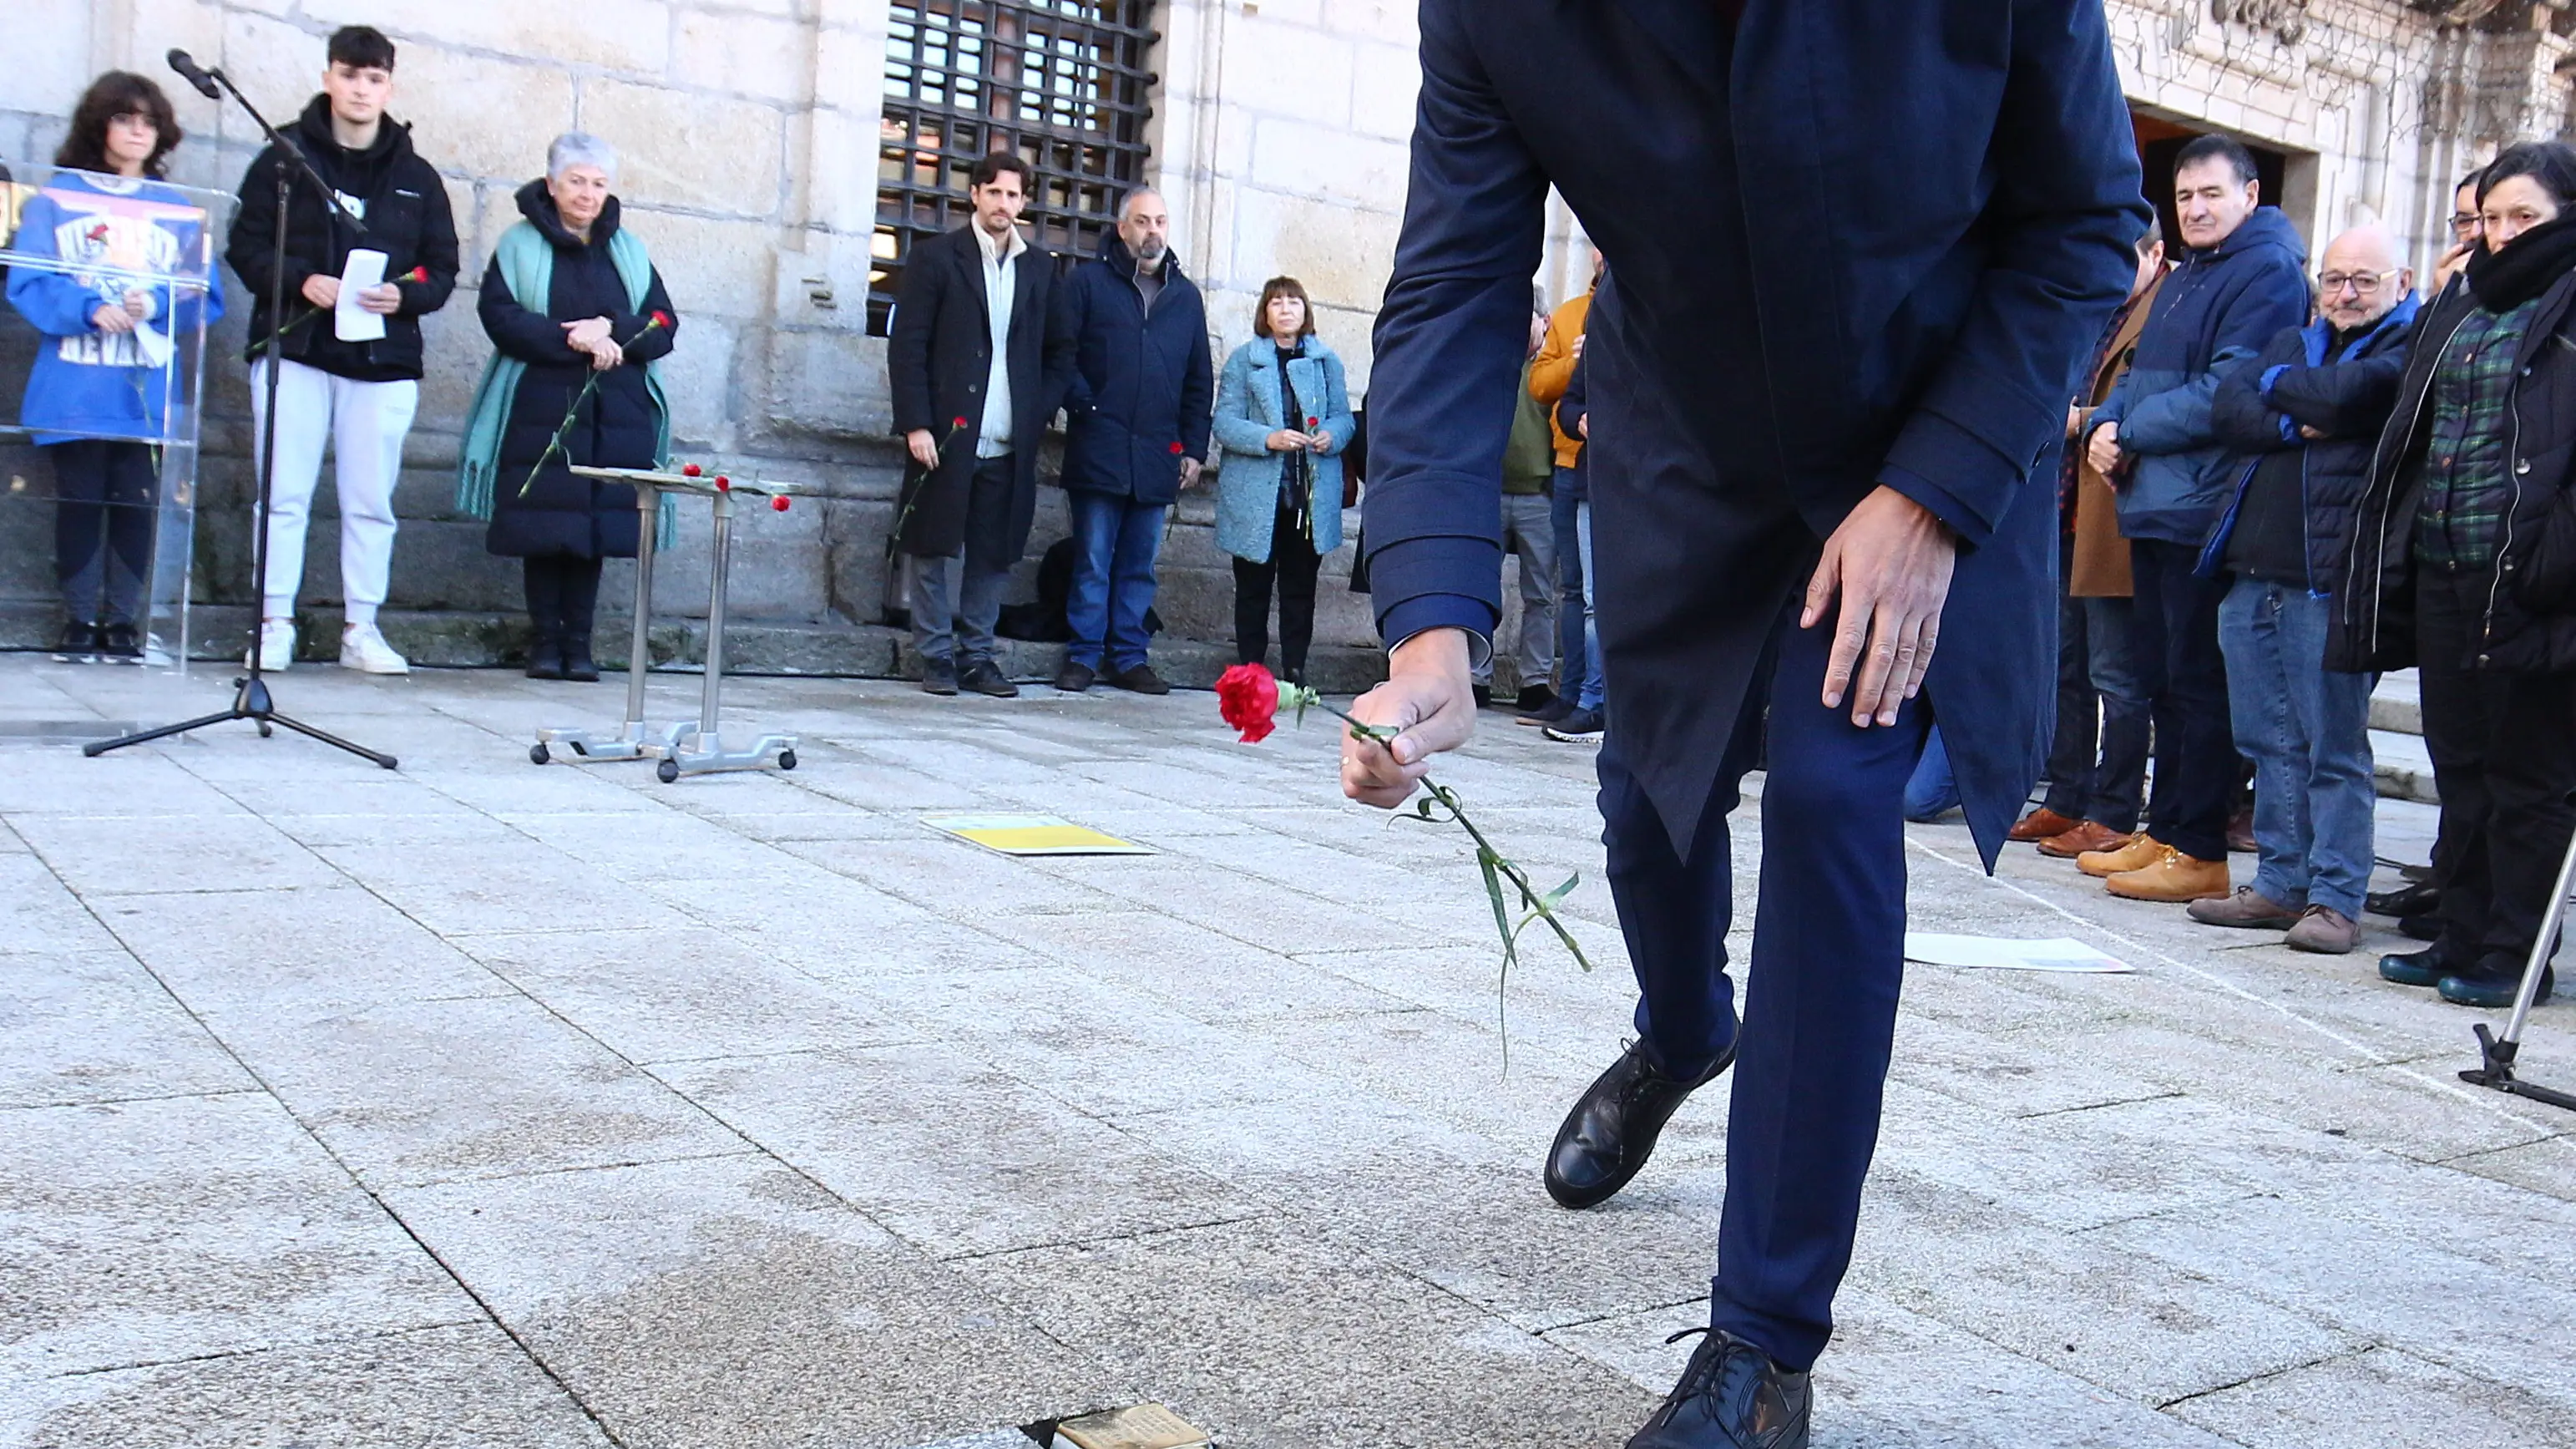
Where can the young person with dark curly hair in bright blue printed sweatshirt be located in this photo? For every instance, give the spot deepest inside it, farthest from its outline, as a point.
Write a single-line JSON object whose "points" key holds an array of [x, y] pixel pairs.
{"points": [[99, 393]]}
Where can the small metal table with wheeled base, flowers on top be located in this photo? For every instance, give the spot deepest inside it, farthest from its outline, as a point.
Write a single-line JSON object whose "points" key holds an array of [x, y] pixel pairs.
{"points": [[689, 746]]}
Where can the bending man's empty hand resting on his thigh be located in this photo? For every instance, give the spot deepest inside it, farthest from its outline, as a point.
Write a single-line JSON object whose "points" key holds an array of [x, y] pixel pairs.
{"points": [[1892, 566]]}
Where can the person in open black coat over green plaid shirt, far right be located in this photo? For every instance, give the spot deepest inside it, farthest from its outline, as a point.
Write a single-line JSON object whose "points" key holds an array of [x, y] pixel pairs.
{"points": [[2464, 561]]}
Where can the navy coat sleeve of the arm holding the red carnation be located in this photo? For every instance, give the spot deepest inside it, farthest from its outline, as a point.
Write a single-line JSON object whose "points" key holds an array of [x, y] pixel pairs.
{"points": [[1449, 349]]}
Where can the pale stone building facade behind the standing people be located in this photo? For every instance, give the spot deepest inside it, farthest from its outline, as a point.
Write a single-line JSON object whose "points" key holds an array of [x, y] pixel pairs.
{"points": [[759, 141]]}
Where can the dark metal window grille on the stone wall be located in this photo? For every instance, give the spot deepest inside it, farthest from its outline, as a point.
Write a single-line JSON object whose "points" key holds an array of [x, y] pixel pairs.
{"points": [[1057, 81]]}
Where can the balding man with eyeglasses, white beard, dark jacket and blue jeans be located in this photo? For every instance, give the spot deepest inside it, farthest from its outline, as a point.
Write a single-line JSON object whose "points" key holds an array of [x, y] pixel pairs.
{"points": [[2302, 424]]}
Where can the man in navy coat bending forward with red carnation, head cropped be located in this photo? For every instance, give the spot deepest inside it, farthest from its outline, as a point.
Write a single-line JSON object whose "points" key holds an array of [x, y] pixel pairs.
{"points": [[1859, 257]]}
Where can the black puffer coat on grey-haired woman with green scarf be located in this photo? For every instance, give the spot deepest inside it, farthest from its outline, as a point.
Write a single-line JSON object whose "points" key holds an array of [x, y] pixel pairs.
{"points": [[620, 427]]}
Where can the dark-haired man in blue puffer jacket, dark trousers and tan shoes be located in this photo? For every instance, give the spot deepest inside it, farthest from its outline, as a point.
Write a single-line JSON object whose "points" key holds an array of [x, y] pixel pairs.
{"points": [[2242, 280]]}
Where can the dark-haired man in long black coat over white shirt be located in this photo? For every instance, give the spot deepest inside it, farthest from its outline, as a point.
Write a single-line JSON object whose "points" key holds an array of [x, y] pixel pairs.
{"points": [[970, 367]]}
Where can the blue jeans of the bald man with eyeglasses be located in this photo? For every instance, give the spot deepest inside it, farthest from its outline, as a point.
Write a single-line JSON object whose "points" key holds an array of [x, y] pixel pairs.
{"points": [[2307, 731]]}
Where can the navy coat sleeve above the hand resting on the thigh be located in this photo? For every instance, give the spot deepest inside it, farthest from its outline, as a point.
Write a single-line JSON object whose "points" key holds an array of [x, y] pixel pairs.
{"points": [[2062, 218]]}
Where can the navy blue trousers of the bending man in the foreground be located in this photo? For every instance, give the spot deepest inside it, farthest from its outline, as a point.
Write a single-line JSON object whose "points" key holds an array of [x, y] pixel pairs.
{"points": [[1820, 1002]]}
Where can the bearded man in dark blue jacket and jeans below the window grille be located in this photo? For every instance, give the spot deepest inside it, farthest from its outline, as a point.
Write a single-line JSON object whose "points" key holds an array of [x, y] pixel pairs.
{"points": [[1137, 429]]}
